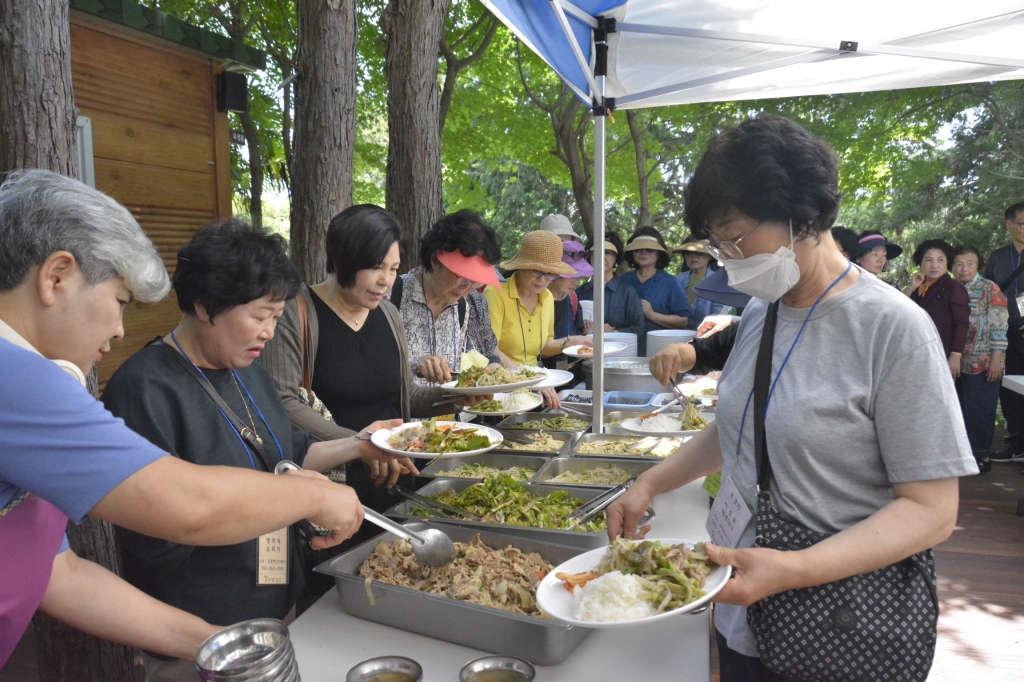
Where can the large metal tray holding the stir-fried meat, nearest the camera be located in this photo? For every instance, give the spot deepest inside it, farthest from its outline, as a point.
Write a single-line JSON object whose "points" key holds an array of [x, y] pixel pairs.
{"points": [[541, 643]]}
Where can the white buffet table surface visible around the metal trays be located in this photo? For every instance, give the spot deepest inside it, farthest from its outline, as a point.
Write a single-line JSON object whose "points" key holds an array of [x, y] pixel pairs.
{"points": [[328, 642]]}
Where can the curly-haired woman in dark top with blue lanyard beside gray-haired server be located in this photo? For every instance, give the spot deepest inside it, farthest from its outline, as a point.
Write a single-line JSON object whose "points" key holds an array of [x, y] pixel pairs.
{"points": [[232, 283]]}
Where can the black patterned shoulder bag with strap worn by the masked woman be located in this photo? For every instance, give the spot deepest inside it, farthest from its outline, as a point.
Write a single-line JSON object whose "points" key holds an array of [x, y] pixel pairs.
{"points": [[877, 627]]}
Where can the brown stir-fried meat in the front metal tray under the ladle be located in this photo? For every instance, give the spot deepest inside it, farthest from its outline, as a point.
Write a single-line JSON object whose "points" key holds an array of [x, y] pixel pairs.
{"points": [[504, 579]]}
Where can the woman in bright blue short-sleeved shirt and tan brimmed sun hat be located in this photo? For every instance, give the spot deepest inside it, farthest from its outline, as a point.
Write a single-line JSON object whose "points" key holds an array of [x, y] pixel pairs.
{"points": [[663, 300]]}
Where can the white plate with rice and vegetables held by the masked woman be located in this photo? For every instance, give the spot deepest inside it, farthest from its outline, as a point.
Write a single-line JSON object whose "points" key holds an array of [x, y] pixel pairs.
{"points": [[618, 586]]}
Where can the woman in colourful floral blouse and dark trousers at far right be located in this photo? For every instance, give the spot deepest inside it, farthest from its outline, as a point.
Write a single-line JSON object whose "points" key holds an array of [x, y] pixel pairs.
{"points": [[982, 366]]}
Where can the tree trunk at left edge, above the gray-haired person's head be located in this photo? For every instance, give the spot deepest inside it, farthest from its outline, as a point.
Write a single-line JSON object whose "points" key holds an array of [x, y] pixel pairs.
{"points": [[37, 106]]}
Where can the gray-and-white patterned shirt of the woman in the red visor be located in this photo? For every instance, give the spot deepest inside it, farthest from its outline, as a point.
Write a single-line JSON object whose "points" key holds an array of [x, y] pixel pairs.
{"points": [[444, 335]]}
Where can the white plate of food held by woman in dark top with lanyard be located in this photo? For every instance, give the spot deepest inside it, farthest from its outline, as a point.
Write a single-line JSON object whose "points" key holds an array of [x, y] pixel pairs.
{"points": [[434, 440]]}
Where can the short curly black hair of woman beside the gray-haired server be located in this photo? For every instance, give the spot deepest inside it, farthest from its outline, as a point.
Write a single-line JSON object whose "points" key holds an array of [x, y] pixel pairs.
{"points": [[232, 264]]}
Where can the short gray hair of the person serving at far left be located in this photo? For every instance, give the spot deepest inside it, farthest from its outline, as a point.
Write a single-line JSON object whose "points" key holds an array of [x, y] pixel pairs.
{"points": [[42, 212]]}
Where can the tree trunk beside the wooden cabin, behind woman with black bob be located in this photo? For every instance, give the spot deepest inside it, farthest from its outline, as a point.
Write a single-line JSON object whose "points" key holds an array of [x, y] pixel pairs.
{"points": [[323, 153]]}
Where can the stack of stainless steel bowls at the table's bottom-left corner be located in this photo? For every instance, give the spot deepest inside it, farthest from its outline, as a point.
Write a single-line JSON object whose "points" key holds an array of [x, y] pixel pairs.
{"points": [[248, 651]]}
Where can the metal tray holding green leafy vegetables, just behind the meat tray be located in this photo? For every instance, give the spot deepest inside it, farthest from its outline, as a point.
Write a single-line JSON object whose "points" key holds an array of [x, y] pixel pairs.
{"points": [[581, 539]]}
